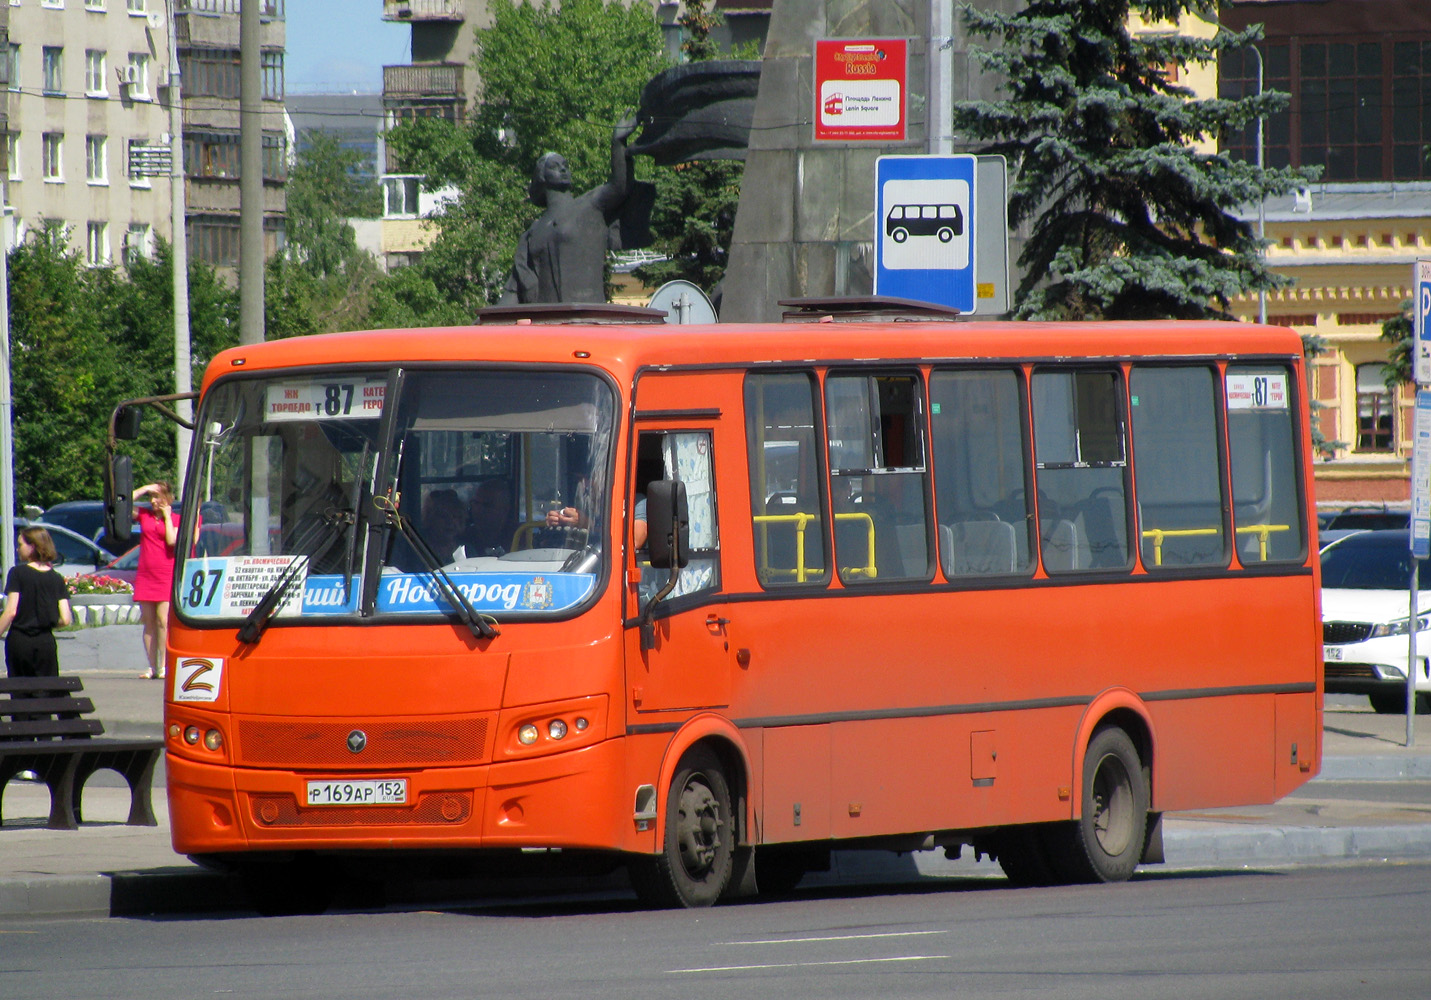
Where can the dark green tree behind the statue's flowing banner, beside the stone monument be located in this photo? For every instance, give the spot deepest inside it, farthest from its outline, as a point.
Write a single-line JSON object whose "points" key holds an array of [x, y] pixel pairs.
{"points": [[695, 214]]}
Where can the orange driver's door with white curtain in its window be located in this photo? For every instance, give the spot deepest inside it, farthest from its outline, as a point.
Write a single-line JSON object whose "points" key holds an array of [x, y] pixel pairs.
{"points": [[680, 653]]}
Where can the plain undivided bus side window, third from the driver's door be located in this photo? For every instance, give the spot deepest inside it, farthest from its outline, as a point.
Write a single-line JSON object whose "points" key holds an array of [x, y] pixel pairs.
{"points": [[981, 490]]}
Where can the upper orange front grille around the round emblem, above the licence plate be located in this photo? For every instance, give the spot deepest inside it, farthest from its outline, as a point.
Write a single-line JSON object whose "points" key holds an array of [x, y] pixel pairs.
{"points": [[391, 743]]}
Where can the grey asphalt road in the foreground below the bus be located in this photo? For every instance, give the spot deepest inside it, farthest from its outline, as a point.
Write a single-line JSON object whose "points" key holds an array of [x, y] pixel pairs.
{"points": [[1309, 933]]}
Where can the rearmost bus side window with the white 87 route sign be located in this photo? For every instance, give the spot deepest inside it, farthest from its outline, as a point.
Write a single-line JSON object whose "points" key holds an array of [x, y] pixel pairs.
{"points": [[1267, 509]]}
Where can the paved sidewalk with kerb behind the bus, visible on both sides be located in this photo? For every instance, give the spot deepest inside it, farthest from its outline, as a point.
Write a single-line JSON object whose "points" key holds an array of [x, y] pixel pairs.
{"points": [[1373, 800]]}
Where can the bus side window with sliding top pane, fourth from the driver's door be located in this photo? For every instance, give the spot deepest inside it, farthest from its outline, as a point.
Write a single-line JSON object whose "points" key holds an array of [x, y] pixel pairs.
{"points": [[1078, 436]]}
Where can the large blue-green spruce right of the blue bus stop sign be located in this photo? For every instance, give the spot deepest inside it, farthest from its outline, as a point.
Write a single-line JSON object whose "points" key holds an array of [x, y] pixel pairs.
{"points": [[1127, 217]]}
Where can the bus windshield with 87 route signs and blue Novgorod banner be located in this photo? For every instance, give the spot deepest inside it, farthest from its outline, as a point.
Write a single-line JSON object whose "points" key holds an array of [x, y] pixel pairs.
{"points": [[300, 480]]}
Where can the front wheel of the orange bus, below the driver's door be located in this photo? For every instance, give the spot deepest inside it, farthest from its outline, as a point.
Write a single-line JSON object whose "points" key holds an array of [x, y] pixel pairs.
{"points": [[696, 861]]}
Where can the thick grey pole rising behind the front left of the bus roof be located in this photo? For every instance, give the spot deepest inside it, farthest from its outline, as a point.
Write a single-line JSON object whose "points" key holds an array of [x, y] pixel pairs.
{"points": [[251, 175]]}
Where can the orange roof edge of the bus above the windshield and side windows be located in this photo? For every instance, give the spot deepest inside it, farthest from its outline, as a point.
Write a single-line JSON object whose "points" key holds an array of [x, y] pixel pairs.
{"points": [[623, 350]]}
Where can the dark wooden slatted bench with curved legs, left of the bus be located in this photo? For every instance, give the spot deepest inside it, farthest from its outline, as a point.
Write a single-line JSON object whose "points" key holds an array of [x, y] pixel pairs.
{"points": [[44, 730]]}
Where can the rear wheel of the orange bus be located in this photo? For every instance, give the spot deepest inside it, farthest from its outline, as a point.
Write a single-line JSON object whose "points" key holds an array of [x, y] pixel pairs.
{"points": [[1107, 842]]}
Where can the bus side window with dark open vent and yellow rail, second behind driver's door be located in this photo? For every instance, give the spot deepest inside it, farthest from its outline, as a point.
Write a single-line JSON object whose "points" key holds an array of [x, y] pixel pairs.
{"points": [[878, 477]]}
